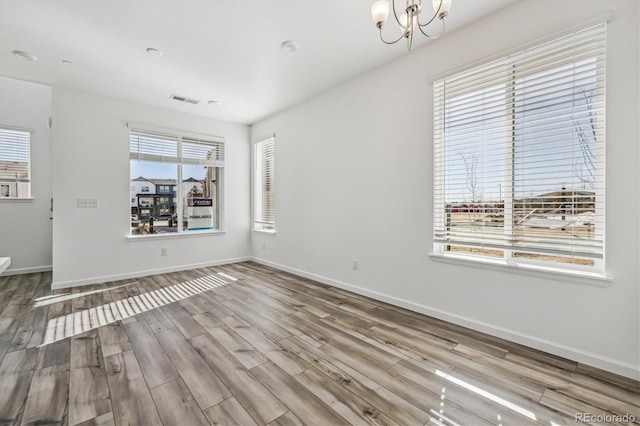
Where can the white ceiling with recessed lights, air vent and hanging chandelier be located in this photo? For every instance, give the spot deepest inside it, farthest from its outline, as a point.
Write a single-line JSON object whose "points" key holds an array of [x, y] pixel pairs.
{"points": [[227, 51]]}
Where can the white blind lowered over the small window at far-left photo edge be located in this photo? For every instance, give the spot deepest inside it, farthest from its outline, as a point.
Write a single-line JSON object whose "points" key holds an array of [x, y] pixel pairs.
{"points": [[15, 156]]}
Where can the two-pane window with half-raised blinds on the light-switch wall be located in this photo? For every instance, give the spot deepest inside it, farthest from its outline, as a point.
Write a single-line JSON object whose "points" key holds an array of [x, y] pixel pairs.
{"points": [[178, 177]]}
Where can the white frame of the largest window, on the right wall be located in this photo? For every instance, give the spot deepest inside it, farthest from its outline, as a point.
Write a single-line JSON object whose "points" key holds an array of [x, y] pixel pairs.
{"points": [[597, 270]]}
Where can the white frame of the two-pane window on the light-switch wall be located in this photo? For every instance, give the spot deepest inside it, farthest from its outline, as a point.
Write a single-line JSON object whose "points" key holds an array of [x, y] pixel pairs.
{"points": [[180, 162]]}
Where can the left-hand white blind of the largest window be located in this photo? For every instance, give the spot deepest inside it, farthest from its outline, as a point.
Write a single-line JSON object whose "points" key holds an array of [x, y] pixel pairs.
{"points": [[471, 131]]}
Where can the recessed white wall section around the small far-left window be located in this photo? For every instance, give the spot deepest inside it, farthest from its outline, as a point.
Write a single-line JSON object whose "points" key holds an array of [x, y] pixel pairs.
{"points": [[25, 226]]}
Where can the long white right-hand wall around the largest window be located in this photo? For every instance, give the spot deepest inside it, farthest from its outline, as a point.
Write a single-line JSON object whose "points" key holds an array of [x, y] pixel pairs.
{"points": [[354, 180]]}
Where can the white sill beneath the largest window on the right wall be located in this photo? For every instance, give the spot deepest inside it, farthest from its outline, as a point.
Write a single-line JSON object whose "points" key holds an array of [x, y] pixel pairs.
{"points": [[583, 277]]}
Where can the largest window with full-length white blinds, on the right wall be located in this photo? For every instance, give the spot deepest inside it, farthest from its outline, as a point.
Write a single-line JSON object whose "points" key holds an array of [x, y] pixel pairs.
{"points": [[519, 146]]}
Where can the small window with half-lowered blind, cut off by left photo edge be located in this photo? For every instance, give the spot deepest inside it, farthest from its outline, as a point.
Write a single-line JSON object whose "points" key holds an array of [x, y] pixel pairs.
{"points": [[15, 163]]}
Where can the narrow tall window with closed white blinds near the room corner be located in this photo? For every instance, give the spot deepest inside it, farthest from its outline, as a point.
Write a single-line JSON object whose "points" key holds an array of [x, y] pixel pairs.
{"points": [[264, 206]]}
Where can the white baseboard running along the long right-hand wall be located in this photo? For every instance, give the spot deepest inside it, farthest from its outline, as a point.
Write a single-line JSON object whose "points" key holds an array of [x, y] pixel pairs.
{"points": [[574, 354]]}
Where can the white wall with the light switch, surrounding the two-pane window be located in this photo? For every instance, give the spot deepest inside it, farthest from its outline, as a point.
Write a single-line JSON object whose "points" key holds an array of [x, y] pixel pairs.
{"points": [[91, 160]]}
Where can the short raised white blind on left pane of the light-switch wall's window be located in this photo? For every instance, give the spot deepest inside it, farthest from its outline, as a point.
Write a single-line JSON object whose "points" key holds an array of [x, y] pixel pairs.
{"points": [[147, 145]]}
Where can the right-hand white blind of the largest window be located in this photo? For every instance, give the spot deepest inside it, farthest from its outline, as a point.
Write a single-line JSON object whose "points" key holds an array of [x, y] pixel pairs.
{"points": [[559, 131]]}
